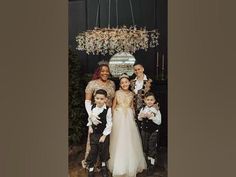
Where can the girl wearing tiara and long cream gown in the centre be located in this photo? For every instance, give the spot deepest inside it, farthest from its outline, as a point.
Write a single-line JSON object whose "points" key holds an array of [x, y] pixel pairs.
{"points": [[126, 153]]}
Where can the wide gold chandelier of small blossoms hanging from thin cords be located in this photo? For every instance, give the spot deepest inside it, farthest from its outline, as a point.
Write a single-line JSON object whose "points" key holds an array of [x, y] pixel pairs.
{"points": [[111, 40]]}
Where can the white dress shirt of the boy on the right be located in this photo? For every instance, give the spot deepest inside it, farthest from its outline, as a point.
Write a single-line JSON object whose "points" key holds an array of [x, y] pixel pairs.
{"points": [[157, 114]]}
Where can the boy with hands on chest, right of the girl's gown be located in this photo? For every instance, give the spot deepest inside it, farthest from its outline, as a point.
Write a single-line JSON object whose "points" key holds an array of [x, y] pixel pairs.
{"points": [[150, 119]]}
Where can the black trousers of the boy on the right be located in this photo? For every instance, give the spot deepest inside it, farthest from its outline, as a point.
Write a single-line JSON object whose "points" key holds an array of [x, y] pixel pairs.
{"points": [[150, 143]]}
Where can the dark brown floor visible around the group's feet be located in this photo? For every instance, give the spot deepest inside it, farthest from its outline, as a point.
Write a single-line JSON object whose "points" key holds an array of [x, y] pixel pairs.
{"points": [[76, 155]]}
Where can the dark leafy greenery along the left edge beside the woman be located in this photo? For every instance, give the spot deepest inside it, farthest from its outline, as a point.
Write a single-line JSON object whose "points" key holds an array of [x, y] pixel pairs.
{"points": [[77, 112]]}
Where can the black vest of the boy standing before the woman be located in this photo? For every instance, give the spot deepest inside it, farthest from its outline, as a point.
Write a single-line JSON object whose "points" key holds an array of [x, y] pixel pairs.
{"points": [[103, 118]]}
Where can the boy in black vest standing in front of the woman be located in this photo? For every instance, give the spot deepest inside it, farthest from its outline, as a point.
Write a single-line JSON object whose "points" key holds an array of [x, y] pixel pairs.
{"points": [[99, 133]]}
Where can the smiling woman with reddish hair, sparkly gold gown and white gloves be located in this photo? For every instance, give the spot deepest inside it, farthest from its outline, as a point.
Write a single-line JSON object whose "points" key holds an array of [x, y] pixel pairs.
{"points": [[100, 80]]}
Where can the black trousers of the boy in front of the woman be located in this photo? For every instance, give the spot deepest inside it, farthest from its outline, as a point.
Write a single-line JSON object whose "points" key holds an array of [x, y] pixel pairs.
{"points": [[98, 149]]}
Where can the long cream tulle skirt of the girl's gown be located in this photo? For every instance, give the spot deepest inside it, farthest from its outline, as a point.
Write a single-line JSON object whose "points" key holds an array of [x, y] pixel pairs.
{"points": [[126, 153]]}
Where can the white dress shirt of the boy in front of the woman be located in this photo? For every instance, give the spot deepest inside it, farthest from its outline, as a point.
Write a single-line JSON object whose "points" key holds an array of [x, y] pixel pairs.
{"points": [[96, 111]]}
